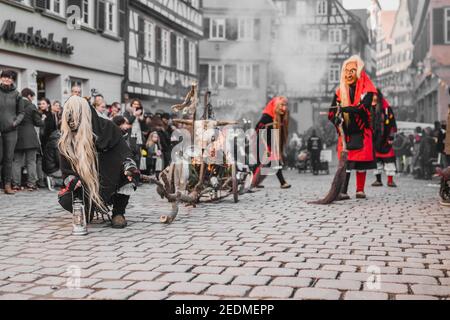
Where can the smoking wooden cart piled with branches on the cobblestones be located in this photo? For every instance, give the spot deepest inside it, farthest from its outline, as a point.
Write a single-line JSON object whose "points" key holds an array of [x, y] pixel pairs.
{"points": [[206, 167]]}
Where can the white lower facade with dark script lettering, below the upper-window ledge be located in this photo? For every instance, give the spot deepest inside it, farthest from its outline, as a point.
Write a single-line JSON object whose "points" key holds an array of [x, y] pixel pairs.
{"points": [[50, 58]]}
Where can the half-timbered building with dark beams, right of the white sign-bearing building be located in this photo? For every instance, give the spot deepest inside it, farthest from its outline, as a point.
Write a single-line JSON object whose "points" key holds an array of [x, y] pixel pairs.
{"points": [[162, 51]]}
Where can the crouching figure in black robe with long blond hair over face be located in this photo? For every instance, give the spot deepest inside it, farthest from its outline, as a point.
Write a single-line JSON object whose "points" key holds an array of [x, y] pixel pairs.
{"points": [[96, 163]]}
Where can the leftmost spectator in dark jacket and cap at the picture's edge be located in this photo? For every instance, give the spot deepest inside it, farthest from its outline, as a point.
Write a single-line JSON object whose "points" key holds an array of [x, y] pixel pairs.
{"points": [[12, 112]]}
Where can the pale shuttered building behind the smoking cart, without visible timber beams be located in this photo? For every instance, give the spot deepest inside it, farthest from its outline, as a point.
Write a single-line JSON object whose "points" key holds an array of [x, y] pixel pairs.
{"points": [[235, 54]]}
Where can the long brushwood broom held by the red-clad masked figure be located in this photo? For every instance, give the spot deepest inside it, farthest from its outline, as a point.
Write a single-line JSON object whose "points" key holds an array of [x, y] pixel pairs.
{"points": [[341, 173]]}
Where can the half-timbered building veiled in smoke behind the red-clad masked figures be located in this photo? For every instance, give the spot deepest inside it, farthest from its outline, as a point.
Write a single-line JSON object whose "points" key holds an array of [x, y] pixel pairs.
{"points": [[314, 38]]}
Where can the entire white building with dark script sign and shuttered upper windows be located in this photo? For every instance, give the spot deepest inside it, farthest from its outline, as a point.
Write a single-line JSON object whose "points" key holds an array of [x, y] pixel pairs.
{"points": [[52, 48]]}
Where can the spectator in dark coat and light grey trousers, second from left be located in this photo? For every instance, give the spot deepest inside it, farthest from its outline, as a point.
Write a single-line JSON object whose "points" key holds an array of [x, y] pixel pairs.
{"points": [[27, 146]]}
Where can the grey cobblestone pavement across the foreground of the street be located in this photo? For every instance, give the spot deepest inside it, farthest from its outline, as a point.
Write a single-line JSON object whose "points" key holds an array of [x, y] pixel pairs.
{"points": [[272, 245]]}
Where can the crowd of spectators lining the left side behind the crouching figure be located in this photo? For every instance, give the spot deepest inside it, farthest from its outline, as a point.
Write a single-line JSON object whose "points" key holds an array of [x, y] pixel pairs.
{"points": [[29, 135]]}
